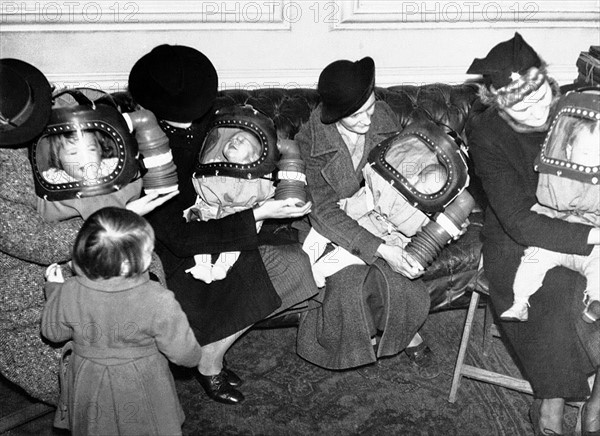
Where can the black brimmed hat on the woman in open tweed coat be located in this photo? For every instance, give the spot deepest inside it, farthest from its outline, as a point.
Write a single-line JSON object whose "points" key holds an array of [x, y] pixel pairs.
{"points": [[344, 86]]}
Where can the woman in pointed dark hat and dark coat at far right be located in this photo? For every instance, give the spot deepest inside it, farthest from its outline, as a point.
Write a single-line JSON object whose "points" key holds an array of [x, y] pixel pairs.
{"points": [[505, 136]]}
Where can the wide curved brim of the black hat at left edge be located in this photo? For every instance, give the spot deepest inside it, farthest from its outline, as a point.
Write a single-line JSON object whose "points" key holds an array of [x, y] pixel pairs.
{"points": [[41, 92]]}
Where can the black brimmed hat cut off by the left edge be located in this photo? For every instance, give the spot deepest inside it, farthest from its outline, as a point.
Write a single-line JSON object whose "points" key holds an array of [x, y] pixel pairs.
{"points": [[25, 102]]}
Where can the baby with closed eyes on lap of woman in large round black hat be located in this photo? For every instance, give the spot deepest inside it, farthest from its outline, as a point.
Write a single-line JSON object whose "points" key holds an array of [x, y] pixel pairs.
{"points": [[222, 196]]}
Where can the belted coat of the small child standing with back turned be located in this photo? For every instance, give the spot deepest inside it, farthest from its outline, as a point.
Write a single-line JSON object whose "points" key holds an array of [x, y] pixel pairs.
{"points": [[123, 330]]}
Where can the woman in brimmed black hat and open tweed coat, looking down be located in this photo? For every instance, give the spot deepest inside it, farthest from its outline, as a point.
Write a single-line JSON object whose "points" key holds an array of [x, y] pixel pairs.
{"points": [[372, 310]]}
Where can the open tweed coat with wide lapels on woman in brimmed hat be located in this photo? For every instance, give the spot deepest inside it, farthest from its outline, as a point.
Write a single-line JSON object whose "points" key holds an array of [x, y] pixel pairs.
{"points": [[336, 335]]}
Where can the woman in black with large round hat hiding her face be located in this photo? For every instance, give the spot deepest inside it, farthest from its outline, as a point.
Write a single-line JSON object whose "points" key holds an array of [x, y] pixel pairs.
{"points": [[179, 85]]}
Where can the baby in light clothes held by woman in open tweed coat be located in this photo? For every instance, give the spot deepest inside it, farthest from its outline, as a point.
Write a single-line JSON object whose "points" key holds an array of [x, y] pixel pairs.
{"points": [[379, 209]]}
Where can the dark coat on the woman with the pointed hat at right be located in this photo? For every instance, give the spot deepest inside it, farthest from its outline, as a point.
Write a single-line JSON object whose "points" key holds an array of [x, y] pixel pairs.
{"points": [[548, 344]]}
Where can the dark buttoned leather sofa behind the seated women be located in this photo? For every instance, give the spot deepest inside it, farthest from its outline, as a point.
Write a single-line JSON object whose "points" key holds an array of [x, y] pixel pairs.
{"points": [[453, 273]]}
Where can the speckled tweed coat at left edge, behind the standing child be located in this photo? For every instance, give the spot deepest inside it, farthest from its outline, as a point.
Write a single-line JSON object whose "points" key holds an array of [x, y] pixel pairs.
{"points": [[28, 245]]}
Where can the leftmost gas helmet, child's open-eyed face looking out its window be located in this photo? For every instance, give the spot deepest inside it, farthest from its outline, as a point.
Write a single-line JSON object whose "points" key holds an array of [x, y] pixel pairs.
{"points": [[61, 173]]}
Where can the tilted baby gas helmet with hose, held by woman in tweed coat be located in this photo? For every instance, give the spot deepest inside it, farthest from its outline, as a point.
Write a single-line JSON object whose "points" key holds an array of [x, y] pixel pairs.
{"points": [[427, 167]]}
